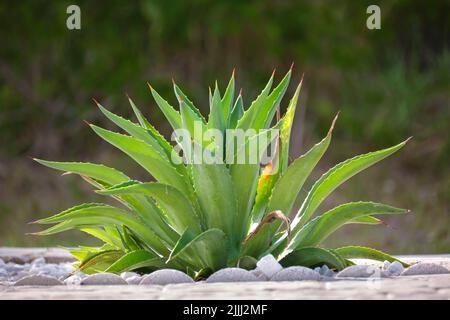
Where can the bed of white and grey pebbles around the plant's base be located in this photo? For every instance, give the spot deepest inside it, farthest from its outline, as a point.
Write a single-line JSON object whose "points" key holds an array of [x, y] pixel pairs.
{"points": [[39, 272]]}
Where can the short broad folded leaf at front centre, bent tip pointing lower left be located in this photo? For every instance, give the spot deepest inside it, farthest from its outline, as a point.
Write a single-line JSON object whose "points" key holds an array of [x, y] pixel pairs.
{"points": [[211, 246]]}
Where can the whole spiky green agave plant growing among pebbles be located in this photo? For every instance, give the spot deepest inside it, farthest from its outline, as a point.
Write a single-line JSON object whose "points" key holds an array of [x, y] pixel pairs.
{"points": [[201, 217]]}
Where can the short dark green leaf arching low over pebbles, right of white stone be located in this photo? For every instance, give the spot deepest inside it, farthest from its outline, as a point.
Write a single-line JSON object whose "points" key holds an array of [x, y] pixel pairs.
{"points": [[312, 257]]}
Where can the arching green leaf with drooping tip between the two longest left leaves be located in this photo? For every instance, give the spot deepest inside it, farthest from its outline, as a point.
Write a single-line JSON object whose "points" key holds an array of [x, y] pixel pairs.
{"points": [[179, 210]]}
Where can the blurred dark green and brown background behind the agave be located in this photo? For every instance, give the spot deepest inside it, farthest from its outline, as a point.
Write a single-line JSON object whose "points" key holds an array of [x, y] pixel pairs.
{"points": [[389, 84]]}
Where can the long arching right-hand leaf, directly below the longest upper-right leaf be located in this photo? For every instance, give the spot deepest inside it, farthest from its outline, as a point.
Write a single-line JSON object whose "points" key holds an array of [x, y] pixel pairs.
{"points": [[317, 230]]}
